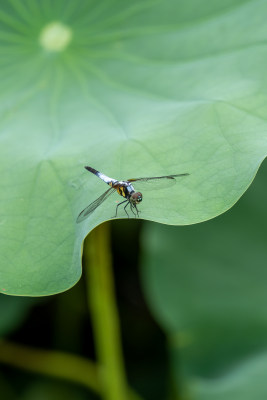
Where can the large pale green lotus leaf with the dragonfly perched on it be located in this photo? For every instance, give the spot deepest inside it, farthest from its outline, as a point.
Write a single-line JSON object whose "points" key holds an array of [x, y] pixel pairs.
{"points": [[133, 89]]}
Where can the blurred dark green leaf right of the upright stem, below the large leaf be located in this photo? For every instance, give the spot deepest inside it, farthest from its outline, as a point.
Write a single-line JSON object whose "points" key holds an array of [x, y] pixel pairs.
{"points": [[207, 286]]}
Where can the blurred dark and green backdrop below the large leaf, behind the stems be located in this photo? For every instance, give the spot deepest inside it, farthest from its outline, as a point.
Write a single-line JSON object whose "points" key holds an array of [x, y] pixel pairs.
{"points": [[192, 306]]}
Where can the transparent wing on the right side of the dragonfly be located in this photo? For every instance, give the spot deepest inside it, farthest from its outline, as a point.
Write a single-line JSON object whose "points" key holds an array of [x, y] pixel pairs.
{"points": [[157, 182]]}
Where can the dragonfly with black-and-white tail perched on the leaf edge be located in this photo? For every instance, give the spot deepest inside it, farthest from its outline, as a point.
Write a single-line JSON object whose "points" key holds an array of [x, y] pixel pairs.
{"points": [[126, 190]]}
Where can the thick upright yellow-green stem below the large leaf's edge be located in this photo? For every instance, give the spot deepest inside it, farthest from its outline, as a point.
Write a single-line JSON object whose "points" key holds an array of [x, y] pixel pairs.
{"points": [[101, 299]]}
